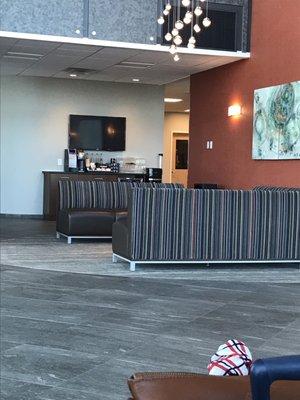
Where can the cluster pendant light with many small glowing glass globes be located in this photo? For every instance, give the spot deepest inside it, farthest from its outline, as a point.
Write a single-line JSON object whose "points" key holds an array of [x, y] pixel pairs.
{"points": [[180, 15]]}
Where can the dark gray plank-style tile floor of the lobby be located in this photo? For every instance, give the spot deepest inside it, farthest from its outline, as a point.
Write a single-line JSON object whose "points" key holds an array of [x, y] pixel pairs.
{"points": [[76, 336]]}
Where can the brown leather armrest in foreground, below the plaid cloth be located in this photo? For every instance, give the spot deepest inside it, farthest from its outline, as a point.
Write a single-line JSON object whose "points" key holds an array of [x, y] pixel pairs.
{"points": [[188, 386]]}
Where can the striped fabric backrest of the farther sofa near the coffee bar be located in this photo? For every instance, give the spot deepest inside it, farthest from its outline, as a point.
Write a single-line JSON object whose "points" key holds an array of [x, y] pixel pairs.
{"points": [[99, 194]]}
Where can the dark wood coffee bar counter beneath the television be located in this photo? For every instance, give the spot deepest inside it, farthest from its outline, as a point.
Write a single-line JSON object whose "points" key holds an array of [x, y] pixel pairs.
{"points": [[51, 179]]}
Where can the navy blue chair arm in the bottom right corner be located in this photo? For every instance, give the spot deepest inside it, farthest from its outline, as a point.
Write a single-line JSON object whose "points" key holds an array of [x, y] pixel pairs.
{"points": [[266, 371]]}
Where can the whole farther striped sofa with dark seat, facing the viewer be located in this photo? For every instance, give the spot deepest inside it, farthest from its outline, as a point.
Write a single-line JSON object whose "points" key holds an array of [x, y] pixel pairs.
{"points": [[88, 209]]}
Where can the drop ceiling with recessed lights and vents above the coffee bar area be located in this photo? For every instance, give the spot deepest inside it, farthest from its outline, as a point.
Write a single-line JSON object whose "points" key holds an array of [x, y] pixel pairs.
{"points": [[57, 56]]}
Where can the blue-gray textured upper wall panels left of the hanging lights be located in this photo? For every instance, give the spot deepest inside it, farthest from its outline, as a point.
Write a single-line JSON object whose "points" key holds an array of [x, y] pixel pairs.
{"points": [[125, 21]]}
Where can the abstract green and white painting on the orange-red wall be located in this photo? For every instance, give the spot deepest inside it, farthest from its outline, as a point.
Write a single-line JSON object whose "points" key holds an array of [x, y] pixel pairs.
{"points": [[276, 122]]}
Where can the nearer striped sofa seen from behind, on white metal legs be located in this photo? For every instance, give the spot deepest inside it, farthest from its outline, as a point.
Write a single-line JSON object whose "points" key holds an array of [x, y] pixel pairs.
{"points": [[193, 226]]}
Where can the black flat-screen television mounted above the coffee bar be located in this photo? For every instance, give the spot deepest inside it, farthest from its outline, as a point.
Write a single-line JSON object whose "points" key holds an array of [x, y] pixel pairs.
{"points": [[97, 133]]}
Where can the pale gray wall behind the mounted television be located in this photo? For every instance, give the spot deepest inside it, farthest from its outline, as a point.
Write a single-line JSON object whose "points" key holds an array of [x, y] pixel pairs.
{"points": [[34, 125]]}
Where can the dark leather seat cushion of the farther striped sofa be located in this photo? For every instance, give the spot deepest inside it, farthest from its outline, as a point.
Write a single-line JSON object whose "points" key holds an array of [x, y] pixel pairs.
{"points": [[85, 222]]}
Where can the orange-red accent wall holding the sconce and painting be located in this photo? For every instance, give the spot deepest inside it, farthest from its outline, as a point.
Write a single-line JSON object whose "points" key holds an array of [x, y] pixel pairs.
{"points": [[275, 59]]}
